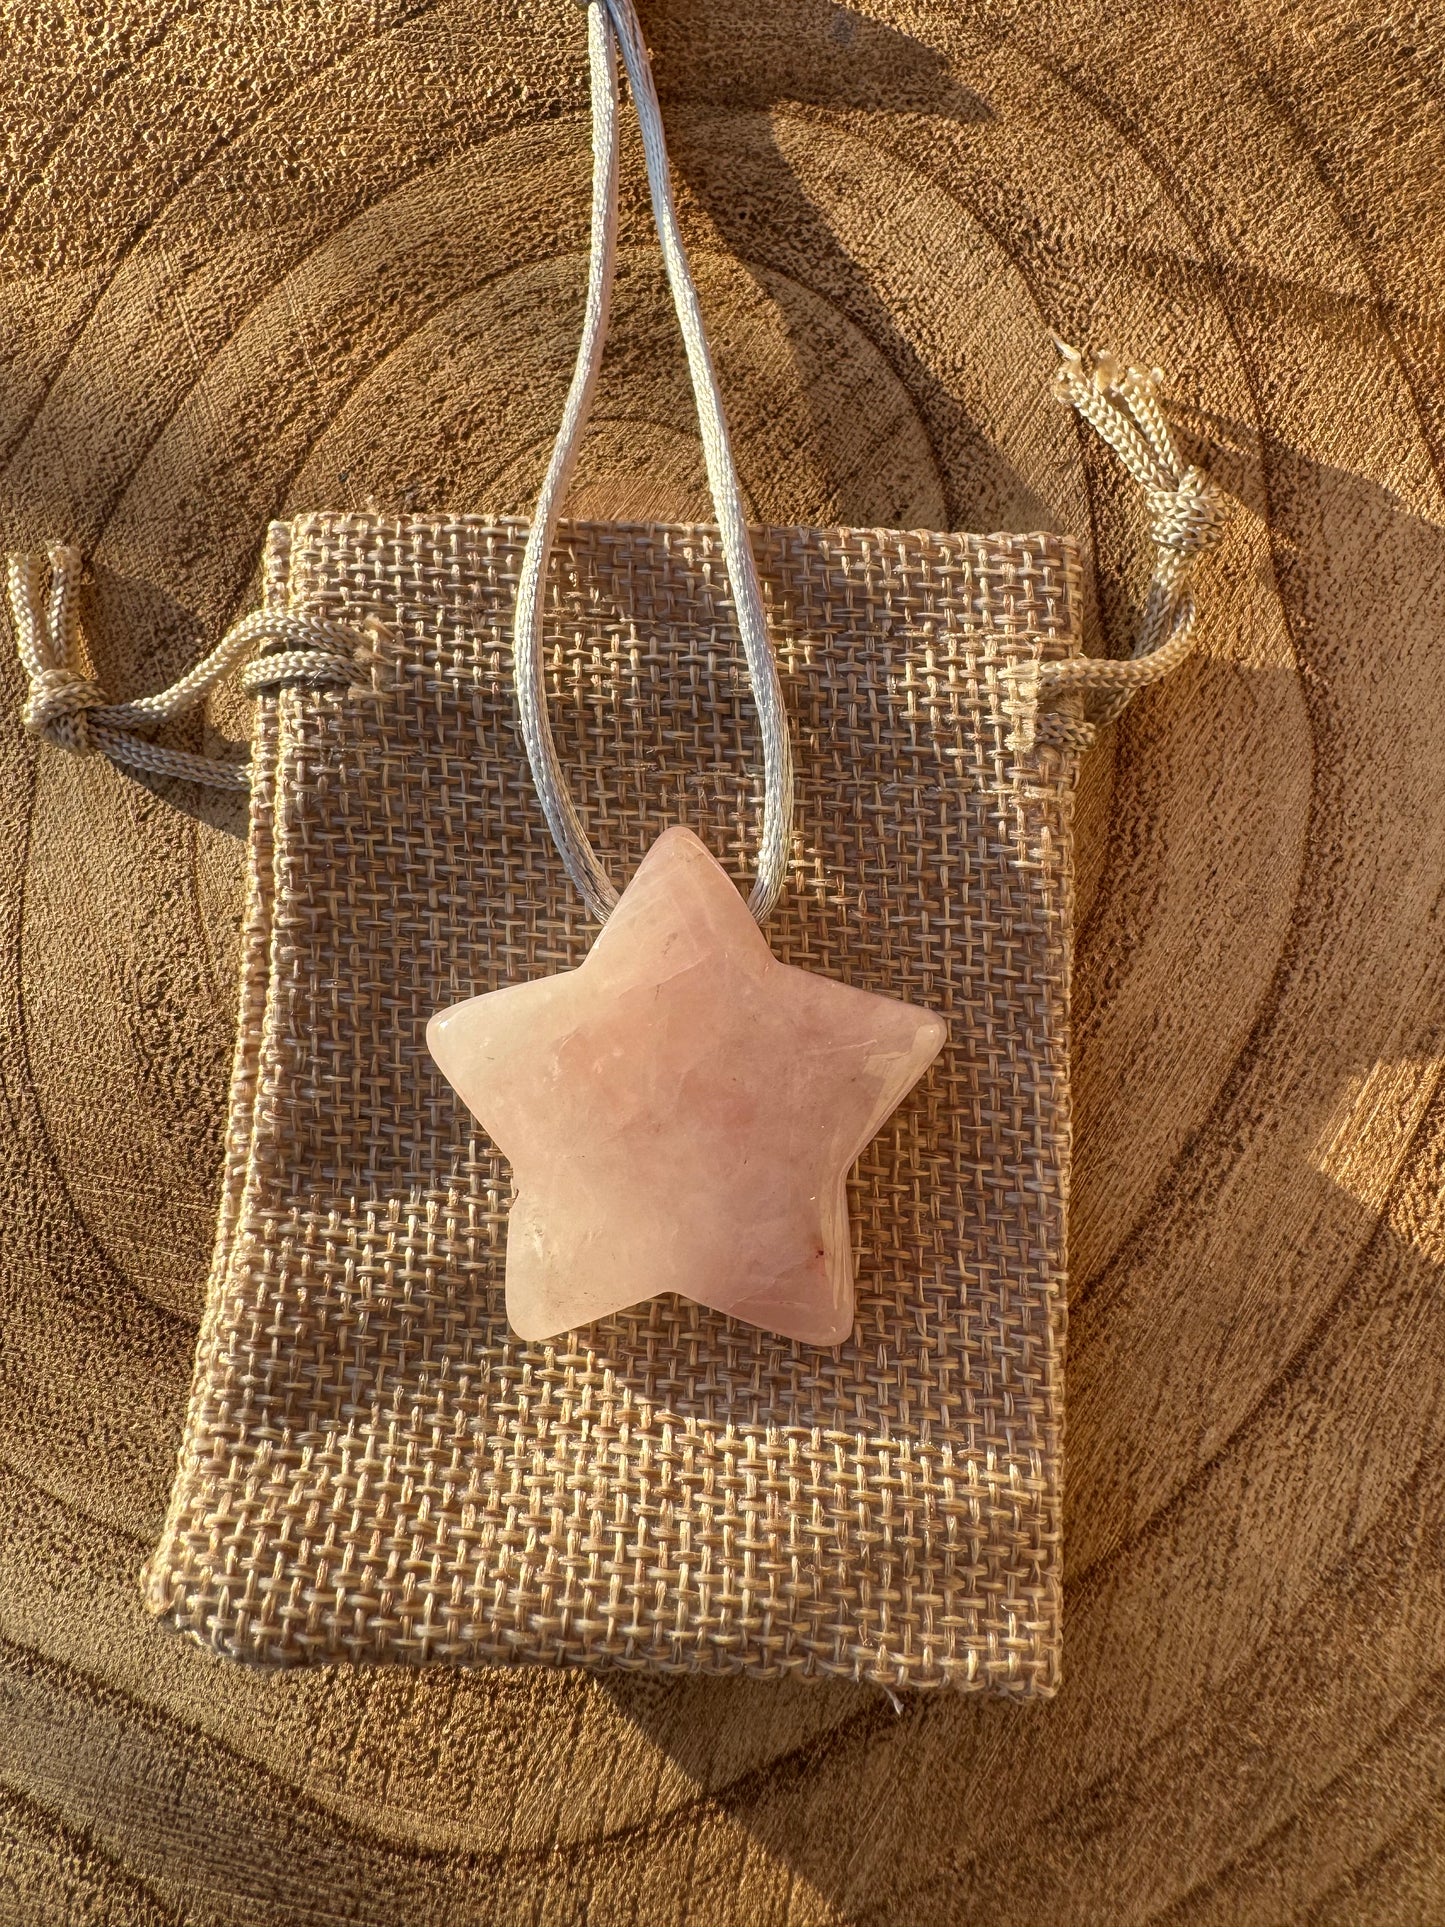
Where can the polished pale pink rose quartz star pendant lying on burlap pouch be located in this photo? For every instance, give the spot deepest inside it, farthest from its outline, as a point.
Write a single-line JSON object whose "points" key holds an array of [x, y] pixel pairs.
{"points": [[683, 1111]]}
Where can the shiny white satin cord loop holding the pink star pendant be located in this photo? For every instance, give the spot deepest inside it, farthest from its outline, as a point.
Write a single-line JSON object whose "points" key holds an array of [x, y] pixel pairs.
{"points": [[612, 24]]}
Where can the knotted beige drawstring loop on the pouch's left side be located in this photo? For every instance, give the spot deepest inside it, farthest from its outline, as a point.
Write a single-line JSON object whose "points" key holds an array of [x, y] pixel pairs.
{"points": [[74, 714]]}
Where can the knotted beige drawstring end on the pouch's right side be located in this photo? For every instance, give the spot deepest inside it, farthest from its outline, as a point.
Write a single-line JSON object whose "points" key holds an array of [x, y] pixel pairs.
{"points": [[1186, 519]]}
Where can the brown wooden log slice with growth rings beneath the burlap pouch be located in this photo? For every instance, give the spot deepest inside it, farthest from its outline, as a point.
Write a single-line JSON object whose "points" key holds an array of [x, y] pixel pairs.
{"points": [[273, 259]]}
